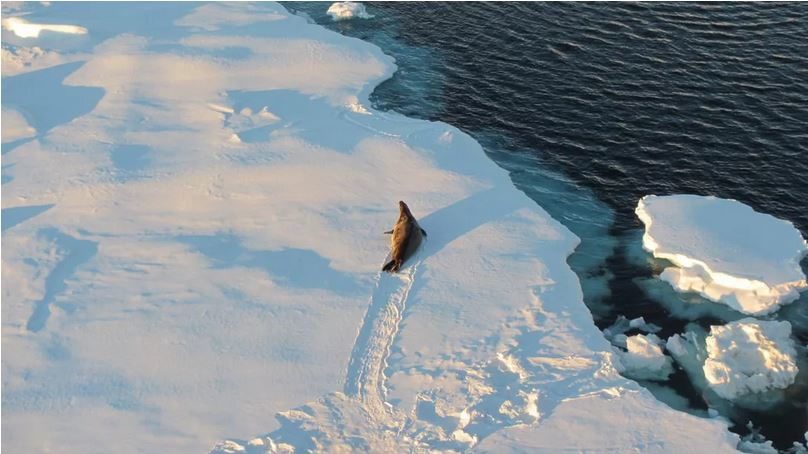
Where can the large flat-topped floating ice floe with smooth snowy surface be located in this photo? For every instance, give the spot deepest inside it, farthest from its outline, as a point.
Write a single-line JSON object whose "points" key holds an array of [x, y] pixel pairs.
{"points": [[725, 251]]}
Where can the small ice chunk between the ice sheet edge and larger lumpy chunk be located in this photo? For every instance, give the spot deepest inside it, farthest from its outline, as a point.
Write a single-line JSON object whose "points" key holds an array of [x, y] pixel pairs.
{"points": [[644, 359]]}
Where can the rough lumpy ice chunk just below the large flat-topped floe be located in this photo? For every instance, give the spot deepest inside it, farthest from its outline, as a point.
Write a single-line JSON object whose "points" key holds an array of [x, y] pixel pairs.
{"points": [[750, 356]]}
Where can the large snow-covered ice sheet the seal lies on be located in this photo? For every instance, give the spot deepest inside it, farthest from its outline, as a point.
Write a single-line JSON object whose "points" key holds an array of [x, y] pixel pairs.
{"points": [[179, 288]]}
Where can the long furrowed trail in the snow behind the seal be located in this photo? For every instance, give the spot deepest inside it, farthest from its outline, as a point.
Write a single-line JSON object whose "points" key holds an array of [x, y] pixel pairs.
{"points": [[365, 379]]}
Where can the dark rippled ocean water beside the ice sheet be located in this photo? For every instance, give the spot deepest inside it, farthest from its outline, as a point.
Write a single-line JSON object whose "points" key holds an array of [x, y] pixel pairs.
{"points": [[591, 106]]}
